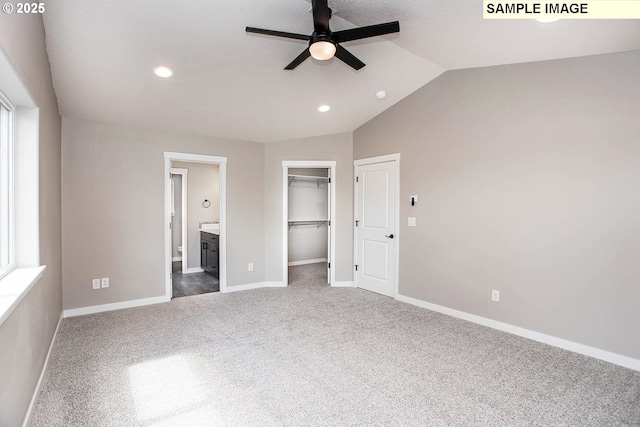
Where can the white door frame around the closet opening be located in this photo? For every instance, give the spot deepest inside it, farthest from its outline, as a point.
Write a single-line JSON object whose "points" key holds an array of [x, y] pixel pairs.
{"points": [[328, 164]]}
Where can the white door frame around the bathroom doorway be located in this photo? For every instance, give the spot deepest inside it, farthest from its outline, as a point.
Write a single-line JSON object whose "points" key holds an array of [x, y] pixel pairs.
{"points": [[169, 157]]}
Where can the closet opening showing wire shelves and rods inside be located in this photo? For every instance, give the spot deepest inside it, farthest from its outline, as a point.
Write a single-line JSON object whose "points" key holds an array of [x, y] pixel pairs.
{"points": [[308, 211]]}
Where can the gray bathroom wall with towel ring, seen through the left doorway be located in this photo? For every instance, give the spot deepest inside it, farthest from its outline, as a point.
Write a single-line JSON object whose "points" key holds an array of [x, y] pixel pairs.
{"points": [[203, 182]]}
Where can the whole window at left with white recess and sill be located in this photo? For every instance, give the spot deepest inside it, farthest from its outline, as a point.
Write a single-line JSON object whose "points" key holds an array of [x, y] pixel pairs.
{"points": [[20, 267]]}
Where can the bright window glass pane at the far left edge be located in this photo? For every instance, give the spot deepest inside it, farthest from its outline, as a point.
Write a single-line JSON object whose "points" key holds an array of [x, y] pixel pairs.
{"points": [[6, 187]]}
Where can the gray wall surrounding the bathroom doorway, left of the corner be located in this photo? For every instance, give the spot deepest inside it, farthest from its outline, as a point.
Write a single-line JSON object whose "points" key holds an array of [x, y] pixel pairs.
{"points": [[113, 215]]}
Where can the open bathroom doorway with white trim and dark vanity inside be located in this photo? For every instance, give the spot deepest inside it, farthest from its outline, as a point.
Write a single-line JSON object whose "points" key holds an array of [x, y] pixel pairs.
{"points": [[203, 211]]}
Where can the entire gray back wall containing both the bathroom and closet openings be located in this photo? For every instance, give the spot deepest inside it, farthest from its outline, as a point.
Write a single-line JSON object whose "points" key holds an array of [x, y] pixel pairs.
{"points": [[113, 209]]}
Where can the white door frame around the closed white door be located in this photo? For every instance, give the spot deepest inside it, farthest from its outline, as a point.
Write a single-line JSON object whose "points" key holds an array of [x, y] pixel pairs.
{"points": [[370, 161]]}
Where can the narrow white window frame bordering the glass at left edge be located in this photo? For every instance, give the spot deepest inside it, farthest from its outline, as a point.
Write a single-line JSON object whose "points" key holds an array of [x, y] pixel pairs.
{"points": [[7, 188]]}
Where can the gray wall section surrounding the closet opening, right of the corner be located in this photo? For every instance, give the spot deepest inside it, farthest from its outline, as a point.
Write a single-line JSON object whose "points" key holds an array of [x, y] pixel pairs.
{"points": [[337, 147]]}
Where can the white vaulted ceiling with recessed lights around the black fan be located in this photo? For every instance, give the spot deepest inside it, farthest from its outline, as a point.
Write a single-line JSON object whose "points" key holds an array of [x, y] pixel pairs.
{"points": [[231, 84]]}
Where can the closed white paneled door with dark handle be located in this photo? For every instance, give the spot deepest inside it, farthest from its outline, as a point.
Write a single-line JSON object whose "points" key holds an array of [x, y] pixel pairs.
{"points": [[376, 234]]}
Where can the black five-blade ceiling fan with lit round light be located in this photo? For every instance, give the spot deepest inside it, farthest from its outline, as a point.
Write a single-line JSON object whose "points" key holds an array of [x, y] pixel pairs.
{"points": [[325, 44]]}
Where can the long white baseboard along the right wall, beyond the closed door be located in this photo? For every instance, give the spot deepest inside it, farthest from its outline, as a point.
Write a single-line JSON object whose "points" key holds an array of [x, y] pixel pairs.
{"points": [[586, 350]]}
